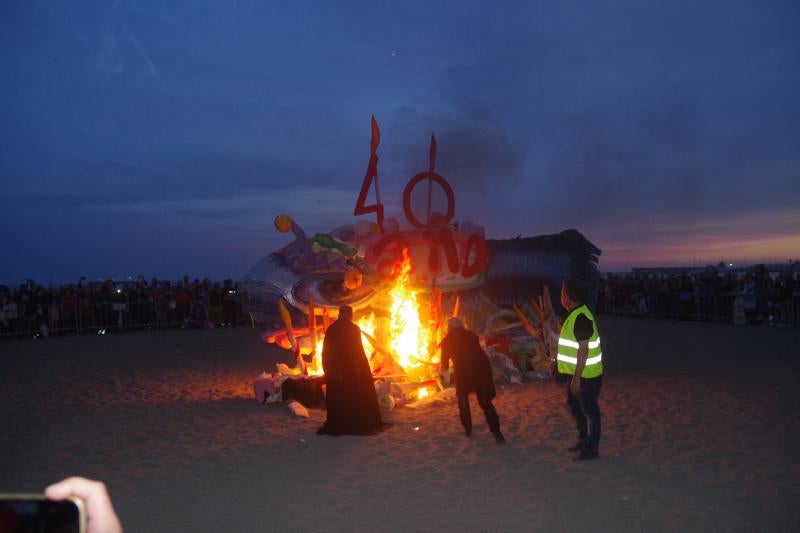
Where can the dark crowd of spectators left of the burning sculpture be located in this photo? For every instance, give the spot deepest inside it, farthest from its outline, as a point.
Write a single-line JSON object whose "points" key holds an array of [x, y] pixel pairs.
{"points": [[107, 305]]}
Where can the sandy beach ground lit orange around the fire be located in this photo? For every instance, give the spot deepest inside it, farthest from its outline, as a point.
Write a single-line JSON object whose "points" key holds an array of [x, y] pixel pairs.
{"points": [[700, 434]]}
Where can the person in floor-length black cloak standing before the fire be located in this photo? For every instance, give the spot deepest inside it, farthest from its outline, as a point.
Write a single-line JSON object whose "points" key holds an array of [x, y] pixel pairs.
{"points": [[350, 391]]}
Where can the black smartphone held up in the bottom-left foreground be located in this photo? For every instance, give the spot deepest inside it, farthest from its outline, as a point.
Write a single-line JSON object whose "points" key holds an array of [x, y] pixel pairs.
{"points": [[33, 513]]}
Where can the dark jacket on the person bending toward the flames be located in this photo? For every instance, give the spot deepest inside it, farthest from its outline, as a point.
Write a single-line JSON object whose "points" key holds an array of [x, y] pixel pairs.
{"points": [[472, 368]]}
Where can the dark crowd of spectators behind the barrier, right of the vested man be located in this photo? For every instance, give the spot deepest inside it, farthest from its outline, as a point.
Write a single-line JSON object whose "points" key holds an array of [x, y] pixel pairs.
{"points": [[755, 297]]}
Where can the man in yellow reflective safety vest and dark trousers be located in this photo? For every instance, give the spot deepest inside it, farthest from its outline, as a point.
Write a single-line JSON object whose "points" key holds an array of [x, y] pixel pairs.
{"points": [[580, 356]]}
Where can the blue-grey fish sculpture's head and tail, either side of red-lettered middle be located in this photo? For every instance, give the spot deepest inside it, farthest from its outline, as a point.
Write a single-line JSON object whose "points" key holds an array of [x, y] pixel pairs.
{"points": [[518, 269]]}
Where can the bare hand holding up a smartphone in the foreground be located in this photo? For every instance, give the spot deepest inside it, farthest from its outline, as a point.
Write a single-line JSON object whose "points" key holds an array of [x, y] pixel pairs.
{"points": [[99, 511]]}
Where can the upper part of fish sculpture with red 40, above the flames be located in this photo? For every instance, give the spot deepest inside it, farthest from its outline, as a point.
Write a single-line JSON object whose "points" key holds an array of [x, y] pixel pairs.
{"points": [[350, 264]]}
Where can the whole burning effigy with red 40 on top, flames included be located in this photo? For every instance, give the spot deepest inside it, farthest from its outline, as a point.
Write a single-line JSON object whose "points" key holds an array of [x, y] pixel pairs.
{"points": [[404, 281]]}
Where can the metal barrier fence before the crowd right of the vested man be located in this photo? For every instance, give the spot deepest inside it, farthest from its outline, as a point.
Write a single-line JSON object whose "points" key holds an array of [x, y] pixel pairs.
{"points": [[705, 307]]}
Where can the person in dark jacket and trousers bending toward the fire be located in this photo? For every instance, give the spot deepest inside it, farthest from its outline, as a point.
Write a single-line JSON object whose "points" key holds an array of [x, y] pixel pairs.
{"points": [[473, 374]]}
